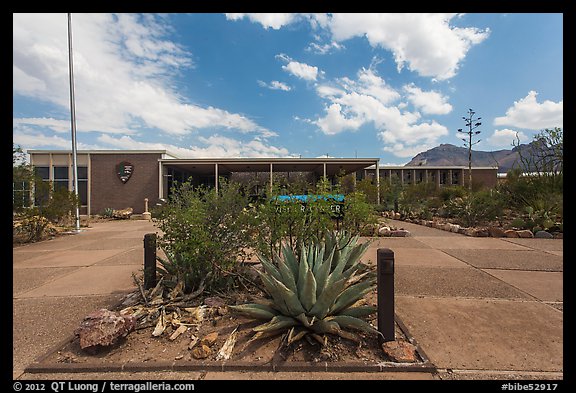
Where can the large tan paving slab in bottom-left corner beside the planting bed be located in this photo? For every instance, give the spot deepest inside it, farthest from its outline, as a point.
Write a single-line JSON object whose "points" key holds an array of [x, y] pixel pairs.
{"points": [[36, 331]]}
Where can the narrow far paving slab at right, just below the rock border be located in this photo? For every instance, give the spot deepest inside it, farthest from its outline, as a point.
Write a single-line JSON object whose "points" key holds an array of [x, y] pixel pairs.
{"points": [[470, 243]]}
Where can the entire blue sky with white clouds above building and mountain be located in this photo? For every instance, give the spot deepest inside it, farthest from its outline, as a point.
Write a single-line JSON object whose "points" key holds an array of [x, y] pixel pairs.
{"points": [[286, 85]]}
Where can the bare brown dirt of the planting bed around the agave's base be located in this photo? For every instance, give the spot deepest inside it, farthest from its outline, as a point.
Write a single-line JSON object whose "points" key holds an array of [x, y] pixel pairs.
{"points": [[141, 347]]}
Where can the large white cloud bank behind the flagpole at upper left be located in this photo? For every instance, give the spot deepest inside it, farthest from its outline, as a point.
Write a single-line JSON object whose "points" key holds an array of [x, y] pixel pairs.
{"points": [[123, 65]]}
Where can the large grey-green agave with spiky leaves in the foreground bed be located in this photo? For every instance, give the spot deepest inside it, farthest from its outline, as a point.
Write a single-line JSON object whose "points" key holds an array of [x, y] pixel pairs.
{"points": [[316, 293]]}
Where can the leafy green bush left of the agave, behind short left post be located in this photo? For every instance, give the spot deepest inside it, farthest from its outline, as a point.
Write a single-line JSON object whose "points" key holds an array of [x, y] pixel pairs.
{"points": [[205, 234]]}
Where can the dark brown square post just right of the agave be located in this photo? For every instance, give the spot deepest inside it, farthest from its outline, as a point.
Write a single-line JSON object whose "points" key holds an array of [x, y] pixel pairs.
{"points": [[385, 288]]}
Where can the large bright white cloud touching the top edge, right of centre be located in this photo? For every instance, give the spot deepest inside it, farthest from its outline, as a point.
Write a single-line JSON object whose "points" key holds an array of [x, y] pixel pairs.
{"points": [[424, 43]]}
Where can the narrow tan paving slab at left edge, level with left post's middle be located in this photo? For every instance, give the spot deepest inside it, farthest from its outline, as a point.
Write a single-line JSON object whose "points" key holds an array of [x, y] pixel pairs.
{"points": [[68, 258]]}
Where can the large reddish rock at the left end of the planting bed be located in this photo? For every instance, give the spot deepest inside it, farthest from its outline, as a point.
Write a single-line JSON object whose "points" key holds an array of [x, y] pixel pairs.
{"points": [[104, 328]]}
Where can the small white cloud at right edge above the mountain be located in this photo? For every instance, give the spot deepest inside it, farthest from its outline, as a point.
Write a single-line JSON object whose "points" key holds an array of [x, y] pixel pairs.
{"points": [[529, 114]]}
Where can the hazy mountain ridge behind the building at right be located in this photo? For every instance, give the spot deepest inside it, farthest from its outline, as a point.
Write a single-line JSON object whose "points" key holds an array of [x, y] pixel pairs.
{"points": [[450, 155]]}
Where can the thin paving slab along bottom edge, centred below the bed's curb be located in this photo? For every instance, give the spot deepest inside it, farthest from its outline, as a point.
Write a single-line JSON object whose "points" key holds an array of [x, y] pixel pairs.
{"points": [[332, 376]]}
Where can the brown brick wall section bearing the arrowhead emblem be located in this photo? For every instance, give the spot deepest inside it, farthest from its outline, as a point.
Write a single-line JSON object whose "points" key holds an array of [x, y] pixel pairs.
{"points": [[108, 191]]}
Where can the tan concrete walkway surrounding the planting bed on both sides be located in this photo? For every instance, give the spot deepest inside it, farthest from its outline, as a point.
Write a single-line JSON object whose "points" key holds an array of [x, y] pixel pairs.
{"points": [[480, 308]]}
